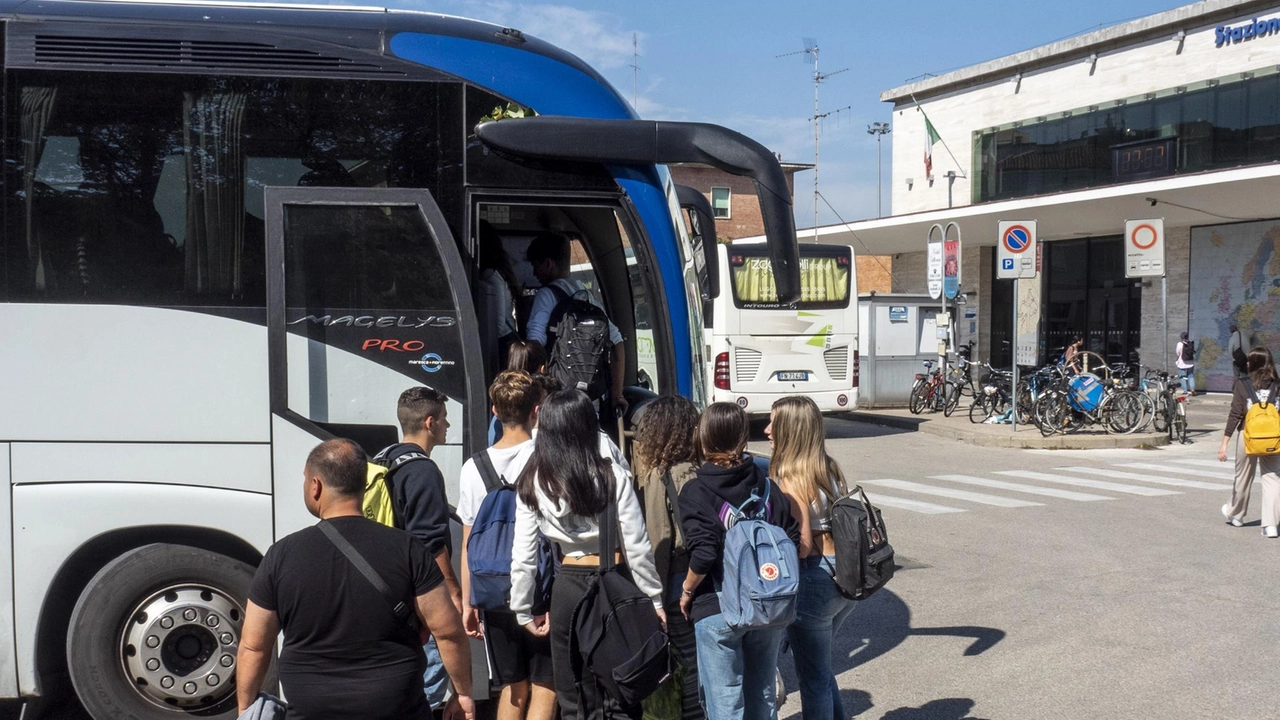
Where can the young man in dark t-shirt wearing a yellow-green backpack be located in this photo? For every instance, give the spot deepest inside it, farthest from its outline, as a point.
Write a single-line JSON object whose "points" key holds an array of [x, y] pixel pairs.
{"points": [[422, 505]]}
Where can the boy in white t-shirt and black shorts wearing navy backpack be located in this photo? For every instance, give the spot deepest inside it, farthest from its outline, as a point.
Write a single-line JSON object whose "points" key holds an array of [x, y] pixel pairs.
{"points": [[522, 664]]}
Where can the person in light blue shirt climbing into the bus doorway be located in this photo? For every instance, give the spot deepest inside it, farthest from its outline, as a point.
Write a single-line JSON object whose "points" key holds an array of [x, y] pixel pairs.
{"points": [[550, 257]]}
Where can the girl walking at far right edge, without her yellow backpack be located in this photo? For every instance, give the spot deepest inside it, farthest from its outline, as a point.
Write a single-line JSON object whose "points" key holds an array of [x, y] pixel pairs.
{"points": [[1265, 385]]}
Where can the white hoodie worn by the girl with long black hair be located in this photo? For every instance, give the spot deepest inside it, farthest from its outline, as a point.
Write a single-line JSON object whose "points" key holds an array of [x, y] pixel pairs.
{"points": [[579, 536]]}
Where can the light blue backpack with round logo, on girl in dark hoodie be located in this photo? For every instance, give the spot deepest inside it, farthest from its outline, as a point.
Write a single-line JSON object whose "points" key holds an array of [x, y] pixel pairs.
{"points": [[762, 569]]}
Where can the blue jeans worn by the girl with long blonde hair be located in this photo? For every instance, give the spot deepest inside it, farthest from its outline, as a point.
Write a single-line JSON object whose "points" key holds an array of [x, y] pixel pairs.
{"points": [[820, 613]]}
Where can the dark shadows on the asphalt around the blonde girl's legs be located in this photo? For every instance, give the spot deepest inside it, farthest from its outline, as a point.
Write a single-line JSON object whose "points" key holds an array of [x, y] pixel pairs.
{"points": [[879, 626]]}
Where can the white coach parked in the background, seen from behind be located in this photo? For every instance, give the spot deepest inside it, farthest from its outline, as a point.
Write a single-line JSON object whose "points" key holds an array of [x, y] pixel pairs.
{"points": [[762, 349]]}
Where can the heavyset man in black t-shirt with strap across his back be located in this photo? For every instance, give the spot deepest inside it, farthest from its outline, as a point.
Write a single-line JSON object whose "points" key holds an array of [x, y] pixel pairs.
{"points": [[346, 654]]}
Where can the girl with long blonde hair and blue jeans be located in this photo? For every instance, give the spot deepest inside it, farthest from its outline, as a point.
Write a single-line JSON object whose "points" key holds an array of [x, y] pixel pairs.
{"points": [[813, 484]]}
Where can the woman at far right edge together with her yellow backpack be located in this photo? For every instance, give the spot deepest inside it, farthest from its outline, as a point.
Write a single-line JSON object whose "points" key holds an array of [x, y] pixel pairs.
{"points": [[1255, 414]]}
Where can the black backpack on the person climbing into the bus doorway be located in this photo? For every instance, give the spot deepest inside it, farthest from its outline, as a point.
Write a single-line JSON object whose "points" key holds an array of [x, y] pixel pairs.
{"points": [[578, 353]]}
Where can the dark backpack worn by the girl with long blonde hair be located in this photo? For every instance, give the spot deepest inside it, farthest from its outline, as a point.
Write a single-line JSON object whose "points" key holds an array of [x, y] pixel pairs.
{"points": [[865, 560]]}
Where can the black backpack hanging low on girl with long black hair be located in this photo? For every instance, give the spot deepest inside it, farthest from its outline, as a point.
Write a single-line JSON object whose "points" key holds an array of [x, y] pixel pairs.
{"points": [[615, 632]]}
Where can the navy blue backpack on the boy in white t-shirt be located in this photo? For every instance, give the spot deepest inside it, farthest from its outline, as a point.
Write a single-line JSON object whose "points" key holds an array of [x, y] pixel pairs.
{"points": [[490, 546]]}
